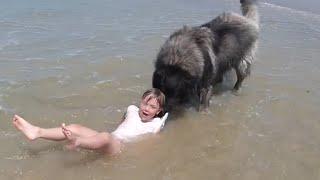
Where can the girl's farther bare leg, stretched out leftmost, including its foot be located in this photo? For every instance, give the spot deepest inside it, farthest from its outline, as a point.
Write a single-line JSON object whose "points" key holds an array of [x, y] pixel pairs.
{"points": [[33, 132]]}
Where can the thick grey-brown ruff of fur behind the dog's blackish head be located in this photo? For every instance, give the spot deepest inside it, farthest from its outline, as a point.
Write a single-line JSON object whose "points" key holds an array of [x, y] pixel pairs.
{"points": [[185, 49]]}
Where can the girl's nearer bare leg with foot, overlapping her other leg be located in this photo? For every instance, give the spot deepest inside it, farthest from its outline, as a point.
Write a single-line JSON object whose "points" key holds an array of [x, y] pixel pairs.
{"points": [[100, 141]]}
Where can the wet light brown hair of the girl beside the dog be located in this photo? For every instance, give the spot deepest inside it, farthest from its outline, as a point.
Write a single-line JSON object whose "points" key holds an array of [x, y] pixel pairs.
{"points": [[158, 95]]}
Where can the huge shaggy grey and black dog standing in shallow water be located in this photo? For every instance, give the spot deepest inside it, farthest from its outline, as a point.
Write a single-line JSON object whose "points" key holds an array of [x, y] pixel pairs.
{"points": [[193, 60]]}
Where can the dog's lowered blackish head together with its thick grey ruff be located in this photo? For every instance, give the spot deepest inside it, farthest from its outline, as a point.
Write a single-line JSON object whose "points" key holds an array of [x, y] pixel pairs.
{"points": [[181, 65]]}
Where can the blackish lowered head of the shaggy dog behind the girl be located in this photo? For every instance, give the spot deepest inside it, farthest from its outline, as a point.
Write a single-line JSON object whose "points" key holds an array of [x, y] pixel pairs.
{"points": [[179, 86]]}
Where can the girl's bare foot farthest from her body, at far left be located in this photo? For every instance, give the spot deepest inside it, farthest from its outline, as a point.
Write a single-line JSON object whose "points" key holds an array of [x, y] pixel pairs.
{"points": [[30, 131]]}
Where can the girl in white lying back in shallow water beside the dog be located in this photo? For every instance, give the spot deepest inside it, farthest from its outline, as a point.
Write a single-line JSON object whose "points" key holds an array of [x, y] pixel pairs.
{"points": [[137, 121]]}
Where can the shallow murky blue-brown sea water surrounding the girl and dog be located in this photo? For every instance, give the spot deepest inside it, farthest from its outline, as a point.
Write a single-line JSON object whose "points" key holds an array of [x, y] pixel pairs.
{"points": [[86, 61]]}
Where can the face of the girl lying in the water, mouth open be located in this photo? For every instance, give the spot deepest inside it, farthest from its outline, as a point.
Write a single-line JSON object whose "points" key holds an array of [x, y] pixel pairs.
{"points": [[149, 108]]}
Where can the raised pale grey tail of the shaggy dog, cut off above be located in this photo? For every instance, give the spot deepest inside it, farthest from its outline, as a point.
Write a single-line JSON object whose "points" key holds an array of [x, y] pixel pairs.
{"points": [[250, 10]]}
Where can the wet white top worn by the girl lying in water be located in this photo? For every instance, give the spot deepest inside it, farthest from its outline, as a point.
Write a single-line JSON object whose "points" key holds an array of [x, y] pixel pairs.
{"points": [[132, 126]]}
